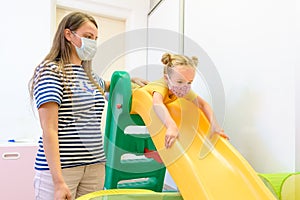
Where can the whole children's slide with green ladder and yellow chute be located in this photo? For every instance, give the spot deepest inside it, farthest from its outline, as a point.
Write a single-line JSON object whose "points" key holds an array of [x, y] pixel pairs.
{"points": [[203, 166]]}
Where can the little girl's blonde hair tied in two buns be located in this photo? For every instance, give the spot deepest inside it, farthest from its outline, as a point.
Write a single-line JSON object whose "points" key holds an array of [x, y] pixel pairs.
{"points": [[170, 60]]}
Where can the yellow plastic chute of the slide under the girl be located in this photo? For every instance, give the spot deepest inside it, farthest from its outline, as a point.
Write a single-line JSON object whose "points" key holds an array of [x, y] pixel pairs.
{"points": [[202, 166]]}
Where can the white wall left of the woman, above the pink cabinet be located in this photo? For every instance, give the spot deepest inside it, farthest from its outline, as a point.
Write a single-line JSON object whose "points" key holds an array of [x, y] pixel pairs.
{"points": [[25, 40]]}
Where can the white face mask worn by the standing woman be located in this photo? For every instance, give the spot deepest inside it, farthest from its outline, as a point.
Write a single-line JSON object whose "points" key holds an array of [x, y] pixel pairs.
{"points": [[88, 48]]}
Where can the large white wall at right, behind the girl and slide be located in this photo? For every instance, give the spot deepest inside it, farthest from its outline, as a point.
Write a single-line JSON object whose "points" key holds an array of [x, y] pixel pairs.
{"points": [[252, 44]]}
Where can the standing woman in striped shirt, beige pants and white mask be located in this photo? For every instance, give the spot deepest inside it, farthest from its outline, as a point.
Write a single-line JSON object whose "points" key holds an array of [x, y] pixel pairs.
{"points": [[70, 99]]}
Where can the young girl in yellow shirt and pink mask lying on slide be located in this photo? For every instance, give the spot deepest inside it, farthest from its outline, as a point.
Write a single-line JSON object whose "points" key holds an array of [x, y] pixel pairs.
{"points": [[179, 73]]}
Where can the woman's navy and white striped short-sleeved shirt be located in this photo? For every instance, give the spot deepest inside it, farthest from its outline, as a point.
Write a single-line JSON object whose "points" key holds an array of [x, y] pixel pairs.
{"points": [[79, 115]]}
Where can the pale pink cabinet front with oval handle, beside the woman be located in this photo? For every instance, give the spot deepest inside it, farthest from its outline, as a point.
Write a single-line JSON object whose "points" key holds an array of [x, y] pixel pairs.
{"points": [[17, 172]]}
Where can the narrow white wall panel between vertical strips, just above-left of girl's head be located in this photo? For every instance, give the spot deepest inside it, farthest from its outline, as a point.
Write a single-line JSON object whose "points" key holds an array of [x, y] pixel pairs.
{"points": [[164, 35]]}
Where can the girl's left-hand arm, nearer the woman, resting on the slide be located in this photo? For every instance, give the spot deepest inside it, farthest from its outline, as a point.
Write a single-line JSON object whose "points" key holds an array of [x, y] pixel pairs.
{"points": [[162, 112]]}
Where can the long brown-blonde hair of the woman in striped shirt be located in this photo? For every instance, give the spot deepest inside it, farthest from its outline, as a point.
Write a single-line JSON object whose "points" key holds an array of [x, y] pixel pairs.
{"points": [[60, 52]]}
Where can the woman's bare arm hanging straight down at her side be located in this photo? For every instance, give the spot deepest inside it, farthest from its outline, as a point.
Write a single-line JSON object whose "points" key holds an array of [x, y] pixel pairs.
{"points": [[48, 114]]}
